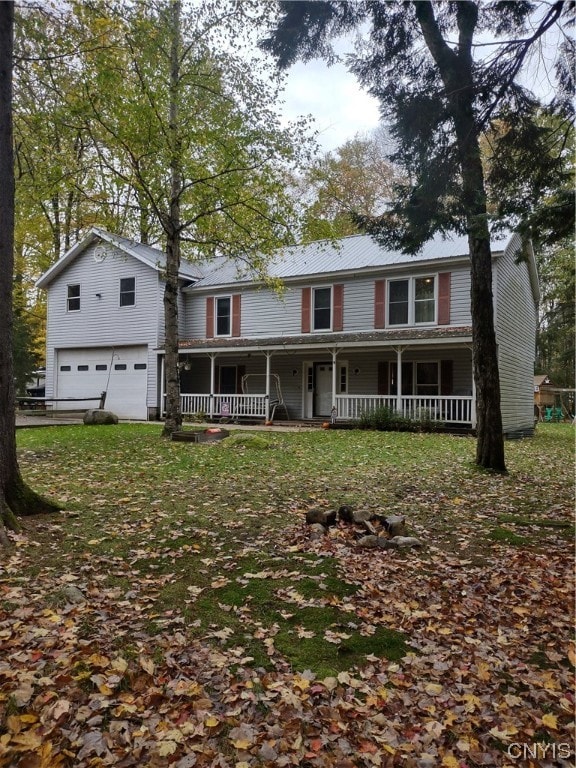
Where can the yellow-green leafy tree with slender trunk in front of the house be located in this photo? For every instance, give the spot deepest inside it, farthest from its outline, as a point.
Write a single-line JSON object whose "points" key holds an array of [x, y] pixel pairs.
{"points": [[185, 129]]}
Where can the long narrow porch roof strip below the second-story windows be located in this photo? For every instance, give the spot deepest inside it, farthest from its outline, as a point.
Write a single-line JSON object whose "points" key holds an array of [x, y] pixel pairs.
{"points": [[407, 337]]}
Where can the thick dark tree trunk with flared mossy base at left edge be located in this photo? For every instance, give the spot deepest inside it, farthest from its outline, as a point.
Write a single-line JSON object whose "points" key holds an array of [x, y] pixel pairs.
{"points": [[16, 498]]}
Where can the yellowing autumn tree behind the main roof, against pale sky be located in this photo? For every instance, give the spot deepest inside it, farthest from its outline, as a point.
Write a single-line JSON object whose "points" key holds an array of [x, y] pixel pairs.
{"points": [[355, 179]]}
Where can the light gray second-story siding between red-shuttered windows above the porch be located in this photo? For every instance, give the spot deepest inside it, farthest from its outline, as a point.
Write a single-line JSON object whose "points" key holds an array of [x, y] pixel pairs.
{"points": [[267, 314]]}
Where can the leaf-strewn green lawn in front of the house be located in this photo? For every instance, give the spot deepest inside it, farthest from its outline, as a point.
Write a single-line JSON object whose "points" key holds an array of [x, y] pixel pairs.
{"points": [[177, 612]]}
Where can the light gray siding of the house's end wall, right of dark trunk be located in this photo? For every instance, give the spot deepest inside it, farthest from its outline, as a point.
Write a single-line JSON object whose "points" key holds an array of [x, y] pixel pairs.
{"points": [[516, 321]]}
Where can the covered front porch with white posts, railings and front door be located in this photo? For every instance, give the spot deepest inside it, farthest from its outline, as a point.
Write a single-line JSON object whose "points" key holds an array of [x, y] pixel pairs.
{"points": [[302, 380]]}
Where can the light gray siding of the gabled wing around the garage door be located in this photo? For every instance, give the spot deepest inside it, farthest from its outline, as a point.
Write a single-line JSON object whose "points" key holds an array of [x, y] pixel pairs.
{"points": [[101, 323]]}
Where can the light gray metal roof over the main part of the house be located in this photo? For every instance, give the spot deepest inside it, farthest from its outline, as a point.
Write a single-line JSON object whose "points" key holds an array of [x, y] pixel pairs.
{"points": [[349, 254]]}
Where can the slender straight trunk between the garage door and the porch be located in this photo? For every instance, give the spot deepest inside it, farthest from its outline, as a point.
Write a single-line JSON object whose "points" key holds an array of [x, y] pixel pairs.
{"points": [[173, 420]]}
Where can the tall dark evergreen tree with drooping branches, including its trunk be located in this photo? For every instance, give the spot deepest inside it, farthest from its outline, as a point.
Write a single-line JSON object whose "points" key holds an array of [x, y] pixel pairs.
{"points": [[418, 59]]}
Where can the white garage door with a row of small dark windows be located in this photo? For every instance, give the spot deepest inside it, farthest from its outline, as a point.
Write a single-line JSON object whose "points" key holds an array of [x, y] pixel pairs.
{"points": [[121, 372]]}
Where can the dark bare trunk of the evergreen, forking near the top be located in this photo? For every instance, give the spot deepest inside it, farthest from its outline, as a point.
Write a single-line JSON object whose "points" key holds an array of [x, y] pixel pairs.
{"points": [[456, 71]]}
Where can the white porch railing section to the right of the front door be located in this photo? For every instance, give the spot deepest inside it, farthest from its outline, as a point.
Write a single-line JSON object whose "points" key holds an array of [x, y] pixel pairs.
{"points": [[445, 409]]}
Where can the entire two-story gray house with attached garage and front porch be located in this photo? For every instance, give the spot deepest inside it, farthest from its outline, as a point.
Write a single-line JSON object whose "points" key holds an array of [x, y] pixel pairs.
{"points": [[356, 326]]}
